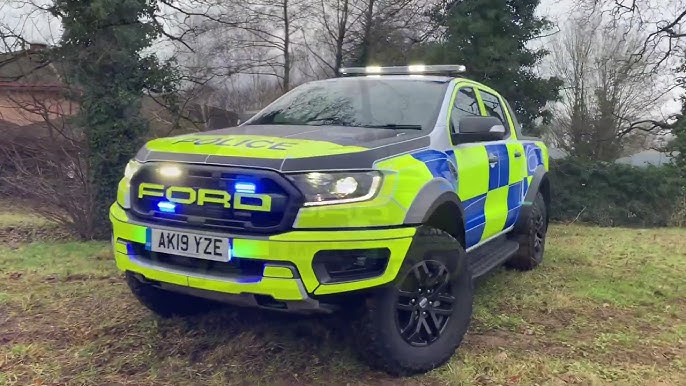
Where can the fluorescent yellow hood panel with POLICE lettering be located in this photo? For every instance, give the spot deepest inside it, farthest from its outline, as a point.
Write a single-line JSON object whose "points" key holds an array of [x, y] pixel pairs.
{"points": [[256, 146]]}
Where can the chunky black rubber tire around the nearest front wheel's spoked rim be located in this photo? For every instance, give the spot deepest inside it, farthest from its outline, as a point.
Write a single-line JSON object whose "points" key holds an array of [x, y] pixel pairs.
{"points": [[381, 342]]}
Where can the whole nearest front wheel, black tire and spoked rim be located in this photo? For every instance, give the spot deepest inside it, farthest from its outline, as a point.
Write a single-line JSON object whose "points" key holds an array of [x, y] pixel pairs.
{"points": [[416, 324]]}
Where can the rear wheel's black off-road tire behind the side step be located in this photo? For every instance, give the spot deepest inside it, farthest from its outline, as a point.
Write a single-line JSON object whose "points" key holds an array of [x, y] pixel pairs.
{"points": [[532, 240]]}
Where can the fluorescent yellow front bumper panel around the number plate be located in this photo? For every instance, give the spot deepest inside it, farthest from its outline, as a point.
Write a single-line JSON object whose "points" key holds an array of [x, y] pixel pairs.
{"points": [[297, 248]]}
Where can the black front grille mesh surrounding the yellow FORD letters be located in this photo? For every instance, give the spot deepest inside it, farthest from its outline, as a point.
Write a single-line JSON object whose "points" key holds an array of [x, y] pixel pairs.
{"points": [[285, 199]]}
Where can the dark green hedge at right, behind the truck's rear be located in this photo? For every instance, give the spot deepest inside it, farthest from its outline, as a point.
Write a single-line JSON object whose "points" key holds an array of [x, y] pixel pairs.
{"points": [[610, 194]]}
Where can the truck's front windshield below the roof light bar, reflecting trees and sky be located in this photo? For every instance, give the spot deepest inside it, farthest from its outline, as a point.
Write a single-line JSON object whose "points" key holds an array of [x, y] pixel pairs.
{"points": [[360, 102]]}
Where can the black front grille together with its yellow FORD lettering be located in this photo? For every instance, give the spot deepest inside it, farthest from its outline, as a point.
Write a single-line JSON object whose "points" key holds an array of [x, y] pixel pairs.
{"points": [[206, 197]]}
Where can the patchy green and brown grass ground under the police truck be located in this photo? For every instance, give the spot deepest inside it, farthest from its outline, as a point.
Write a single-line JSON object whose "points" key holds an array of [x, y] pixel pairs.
{"points": [[608, 306]]}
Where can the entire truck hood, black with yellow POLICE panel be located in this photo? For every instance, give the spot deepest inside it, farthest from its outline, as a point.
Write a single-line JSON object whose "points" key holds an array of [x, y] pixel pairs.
{"points": [[287, 147]]}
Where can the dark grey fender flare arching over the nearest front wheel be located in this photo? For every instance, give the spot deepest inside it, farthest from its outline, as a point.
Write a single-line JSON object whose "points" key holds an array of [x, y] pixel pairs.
{"points": [[430, 197]]}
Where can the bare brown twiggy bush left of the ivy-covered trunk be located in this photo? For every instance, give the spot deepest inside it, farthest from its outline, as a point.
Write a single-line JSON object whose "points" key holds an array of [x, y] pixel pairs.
{"points": [[47, 168]]}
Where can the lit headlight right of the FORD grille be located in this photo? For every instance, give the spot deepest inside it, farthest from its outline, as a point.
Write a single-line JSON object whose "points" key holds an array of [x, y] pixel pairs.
{"points": [[337, 187]]}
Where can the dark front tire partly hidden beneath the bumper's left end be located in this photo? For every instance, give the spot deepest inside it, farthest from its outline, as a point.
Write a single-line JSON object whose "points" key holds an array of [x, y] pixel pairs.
{"points": [[167, 304]]}
